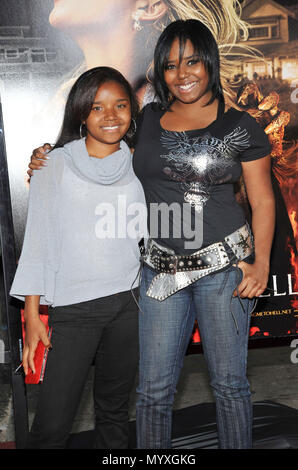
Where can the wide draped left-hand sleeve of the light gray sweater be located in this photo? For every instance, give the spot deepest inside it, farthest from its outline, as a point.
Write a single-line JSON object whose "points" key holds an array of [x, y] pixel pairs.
{"points": [[38, 263]]}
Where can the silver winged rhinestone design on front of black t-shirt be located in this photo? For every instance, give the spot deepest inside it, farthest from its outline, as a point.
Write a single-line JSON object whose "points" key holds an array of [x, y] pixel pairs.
{"points": [[199, 163]]}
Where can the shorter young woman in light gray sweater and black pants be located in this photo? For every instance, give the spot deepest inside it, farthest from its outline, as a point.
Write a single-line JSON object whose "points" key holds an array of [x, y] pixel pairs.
{"points": [[81, 257]]}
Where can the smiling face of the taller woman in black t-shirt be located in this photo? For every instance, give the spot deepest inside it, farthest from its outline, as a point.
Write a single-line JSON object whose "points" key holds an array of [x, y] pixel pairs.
{"points": [[186, 78]]}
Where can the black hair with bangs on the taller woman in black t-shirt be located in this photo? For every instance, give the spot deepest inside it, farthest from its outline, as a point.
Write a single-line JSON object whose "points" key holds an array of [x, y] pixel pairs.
{"points": [[205, 47]]}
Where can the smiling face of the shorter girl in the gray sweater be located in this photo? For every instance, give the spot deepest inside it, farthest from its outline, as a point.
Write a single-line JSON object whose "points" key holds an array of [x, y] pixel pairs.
{"points": [[109, 119]]}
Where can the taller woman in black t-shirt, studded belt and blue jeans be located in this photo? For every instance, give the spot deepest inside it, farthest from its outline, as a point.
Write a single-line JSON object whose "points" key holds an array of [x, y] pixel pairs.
{"points": [[189, 152]]}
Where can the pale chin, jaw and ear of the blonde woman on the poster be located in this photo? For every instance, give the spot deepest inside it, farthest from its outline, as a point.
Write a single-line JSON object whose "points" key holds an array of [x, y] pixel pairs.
{"points": [[111, 32]]}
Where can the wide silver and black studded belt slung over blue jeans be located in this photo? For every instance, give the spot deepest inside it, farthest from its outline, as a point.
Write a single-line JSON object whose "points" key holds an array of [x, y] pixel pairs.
{"points": [[177, 271]]}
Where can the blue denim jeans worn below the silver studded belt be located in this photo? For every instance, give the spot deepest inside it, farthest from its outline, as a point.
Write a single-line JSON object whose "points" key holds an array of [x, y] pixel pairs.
{"points": [[165, 329]]}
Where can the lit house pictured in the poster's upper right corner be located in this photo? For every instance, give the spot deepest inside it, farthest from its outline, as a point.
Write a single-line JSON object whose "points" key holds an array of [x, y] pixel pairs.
{"points": [[273, 31]]}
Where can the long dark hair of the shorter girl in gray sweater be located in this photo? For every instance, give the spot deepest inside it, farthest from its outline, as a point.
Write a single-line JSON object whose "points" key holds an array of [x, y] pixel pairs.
{"points": [[80, 100]]}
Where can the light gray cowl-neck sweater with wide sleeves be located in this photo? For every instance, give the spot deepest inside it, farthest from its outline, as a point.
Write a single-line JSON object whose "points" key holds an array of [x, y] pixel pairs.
{"points": [[85, 218]]}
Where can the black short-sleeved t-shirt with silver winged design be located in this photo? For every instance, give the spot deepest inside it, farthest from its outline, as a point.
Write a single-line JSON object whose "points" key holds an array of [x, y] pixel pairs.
{"points": [[188, 177]]}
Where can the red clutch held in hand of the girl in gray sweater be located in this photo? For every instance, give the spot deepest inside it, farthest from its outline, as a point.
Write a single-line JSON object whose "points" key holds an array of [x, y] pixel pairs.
{"points": [[41, 354]]}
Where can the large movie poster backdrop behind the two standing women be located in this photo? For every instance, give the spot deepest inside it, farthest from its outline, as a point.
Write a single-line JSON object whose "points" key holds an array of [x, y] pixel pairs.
{"points": [[46, 44]]}
